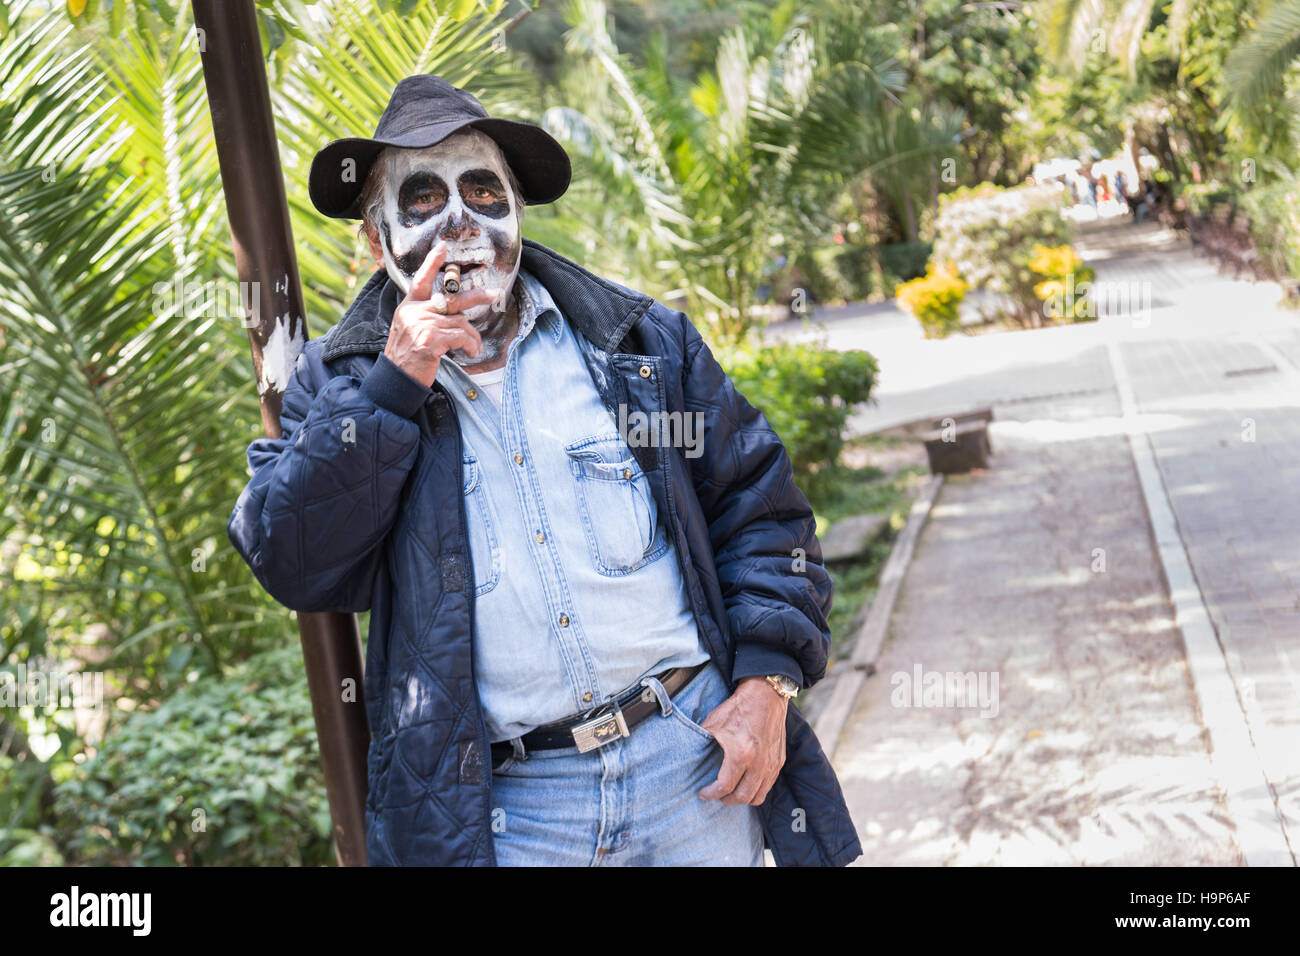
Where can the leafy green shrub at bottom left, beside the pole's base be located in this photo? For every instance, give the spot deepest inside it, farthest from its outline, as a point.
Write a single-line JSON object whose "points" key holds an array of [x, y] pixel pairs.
{"points": [[224, 772]]}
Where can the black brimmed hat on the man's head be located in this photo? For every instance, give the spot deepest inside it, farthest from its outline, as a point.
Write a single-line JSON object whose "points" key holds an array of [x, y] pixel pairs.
{"points": [[424, 111]]}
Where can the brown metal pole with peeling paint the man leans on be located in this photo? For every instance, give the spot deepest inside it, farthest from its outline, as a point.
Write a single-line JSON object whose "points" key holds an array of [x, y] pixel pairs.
{"points": [[236, 79]]}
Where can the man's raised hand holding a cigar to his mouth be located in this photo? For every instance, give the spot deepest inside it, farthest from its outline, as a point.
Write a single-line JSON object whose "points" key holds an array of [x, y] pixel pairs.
{"points": [[427, 326]]}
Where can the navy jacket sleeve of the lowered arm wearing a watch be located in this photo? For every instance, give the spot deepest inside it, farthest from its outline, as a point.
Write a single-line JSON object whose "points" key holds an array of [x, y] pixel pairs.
{"points": [[762, 531]]}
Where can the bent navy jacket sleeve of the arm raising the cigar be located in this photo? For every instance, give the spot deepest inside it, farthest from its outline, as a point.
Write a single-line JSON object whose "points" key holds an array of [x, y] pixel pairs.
{"points": [[323, 498]]}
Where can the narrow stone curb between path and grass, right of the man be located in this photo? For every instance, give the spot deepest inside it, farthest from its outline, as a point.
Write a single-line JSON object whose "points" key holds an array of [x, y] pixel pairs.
{"points": [[866, 644]]}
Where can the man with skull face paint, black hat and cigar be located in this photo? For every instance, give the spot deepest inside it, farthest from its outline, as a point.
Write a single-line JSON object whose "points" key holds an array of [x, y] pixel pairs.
{"points": [[586, 630]]}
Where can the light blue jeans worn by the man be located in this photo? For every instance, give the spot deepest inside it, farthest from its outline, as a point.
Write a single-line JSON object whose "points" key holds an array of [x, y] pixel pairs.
{"points": [[632, 803]]}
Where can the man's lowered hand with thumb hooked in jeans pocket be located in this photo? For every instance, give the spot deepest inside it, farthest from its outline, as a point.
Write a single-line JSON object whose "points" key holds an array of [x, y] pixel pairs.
{"points": [[751, 726]]}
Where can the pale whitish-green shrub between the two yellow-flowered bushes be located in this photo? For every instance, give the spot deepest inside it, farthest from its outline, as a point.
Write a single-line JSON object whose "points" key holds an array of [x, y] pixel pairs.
{"points": [[989, 235]]}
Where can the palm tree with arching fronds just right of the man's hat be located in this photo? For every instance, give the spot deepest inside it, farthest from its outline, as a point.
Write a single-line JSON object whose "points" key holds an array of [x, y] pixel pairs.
{"points": [[708, 184]]}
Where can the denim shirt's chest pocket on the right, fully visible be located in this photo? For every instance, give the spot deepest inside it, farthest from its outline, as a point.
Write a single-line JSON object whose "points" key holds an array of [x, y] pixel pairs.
{"points": [[617, 505]]}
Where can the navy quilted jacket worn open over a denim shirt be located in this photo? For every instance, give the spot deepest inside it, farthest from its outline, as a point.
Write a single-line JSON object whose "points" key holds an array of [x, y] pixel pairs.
{"points": [[359, 507]]}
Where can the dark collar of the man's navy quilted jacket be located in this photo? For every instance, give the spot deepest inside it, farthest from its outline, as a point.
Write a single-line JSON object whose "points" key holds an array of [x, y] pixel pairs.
{"points": [[603, 312]]}
